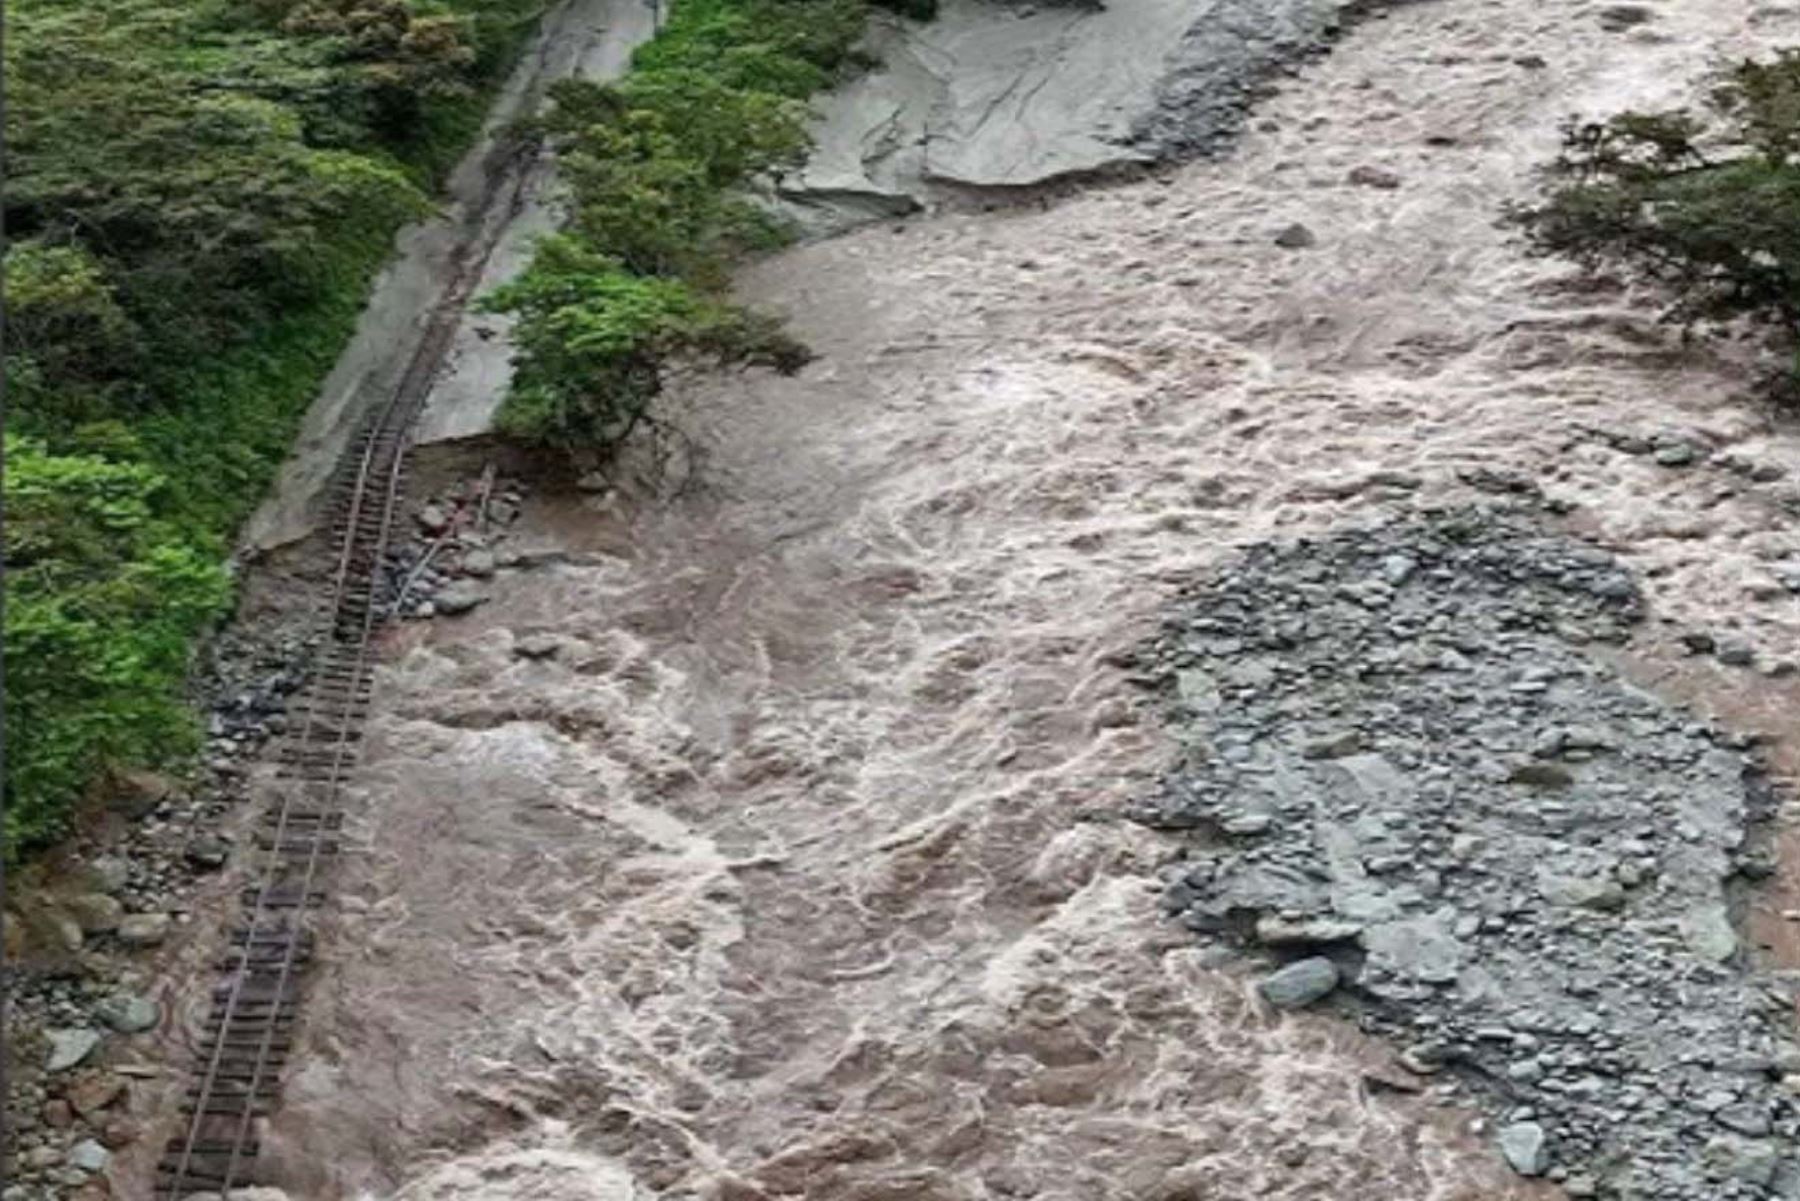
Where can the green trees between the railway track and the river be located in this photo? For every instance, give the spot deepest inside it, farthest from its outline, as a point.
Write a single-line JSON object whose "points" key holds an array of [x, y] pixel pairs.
{"points": [[658, 165]]}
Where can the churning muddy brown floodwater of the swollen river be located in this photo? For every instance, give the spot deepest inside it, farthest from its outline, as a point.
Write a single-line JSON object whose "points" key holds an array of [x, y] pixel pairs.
{"points": [[800, 869]]}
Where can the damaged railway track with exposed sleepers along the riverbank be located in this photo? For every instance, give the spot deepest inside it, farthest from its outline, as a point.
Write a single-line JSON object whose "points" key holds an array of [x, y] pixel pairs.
{"points": [[249, 1034]]}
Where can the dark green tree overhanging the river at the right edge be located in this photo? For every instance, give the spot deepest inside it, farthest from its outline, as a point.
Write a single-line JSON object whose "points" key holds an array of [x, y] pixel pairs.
{"points": [[1705, 204]]}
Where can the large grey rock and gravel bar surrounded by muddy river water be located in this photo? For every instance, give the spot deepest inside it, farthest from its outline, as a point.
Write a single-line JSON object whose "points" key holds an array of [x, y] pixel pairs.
{"points": [[1407, 781]]}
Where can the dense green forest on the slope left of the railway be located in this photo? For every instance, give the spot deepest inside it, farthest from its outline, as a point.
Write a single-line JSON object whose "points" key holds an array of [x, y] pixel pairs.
{"points": [[199, 195]]}
